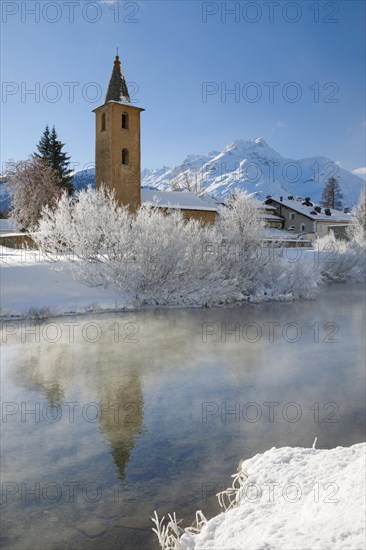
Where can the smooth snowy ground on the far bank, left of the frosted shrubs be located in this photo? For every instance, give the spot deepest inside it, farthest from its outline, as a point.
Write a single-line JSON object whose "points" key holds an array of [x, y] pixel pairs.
{"points": [[30, 285]]}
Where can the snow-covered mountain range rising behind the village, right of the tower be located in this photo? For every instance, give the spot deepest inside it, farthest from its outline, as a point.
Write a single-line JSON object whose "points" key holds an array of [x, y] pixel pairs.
{"points": [[253, 166]]}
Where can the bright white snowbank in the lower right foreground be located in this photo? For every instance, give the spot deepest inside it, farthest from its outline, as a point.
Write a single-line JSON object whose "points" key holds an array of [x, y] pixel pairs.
{"points": [[294, 499]]}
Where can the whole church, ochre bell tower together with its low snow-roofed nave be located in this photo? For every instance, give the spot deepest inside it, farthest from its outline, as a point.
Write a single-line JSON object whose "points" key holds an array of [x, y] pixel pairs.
{"points": [[118, 156]]}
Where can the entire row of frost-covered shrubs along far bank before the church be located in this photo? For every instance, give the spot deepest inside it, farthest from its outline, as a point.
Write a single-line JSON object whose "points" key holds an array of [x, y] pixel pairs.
{"points": [[161, 259]]}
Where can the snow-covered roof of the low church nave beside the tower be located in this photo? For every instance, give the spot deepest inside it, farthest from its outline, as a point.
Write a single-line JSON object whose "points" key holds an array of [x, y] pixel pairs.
{"points": [[184, 200]]}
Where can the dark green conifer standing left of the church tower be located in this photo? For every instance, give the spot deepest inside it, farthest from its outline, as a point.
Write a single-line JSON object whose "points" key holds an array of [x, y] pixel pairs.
{"points": [[50, 150]]}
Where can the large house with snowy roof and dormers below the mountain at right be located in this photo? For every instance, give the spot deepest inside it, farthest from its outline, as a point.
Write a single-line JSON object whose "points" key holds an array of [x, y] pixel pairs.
{"points": [[304, 217]]}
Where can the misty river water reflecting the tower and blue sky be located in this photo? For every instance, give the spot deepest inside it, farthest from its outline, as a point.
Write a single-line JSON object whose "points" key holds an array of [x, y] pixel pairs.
{"points": [[107, 418]]}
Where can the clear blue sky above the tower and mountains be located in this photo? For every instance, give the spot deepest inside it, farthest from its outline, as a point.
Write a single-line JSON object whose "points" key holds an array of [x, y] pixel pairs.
{"points": [[303, 61]]}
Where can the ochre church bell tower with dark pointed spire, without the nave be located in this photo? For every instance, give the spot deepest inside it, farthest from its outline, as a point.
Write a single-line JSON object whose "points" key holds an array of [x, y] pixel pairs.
{"points": [[118, 152]]}
